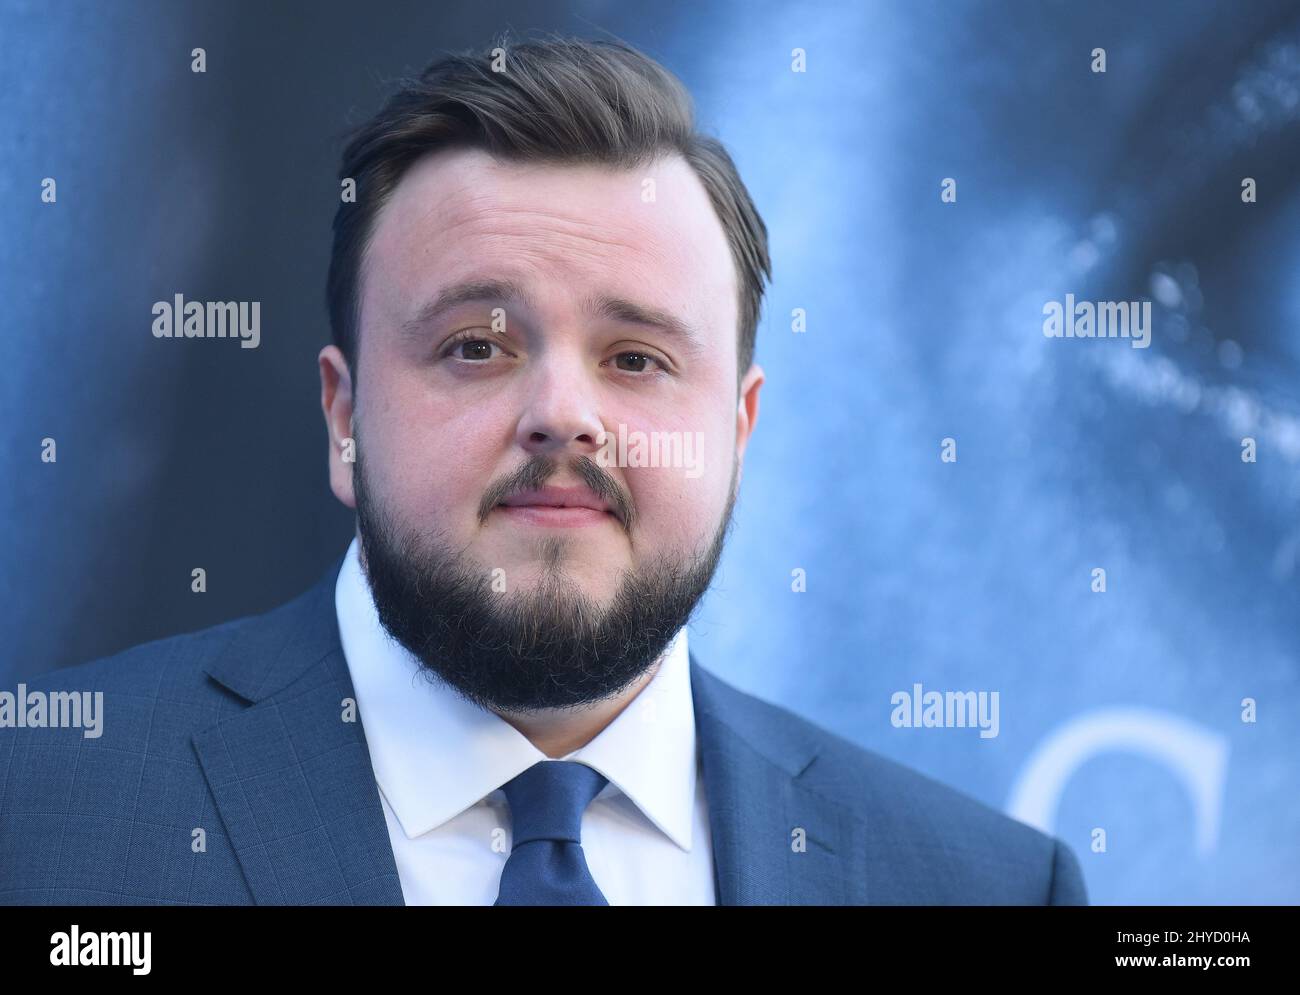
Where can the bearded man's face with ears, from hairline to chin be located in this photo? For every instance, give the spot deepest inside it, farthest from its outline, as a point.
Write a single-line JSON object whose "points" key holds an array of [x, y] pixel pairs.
{"points": [[579, 301]]}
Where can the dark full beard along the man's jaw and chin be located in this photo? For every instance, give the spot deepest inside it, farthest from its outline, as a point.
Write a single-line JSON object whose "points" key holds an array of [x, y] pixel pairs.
{"points": [[552, 647]]}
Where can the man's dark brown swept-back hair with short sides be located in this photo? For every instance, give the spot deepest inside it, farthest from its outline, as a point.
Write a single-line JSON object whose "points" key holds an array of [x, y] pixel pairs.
{"points": [[558, 101]]}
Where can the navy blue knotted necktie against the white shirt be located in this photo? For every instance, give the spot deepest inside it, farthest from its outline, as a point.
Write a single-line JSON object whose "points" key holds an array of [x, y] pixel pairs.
{"points": [[547, 866]]}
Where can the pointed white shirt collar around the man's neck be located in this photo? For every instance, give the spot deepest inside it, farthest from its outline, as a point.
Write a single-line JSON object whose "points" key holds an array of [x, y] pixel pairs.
{"points": [[435, 755]]}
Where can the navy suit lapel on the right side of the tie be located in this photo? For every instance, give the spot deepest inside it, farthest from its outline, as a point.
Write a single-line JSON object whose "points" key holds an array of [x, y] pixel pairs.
{"points": [[777, 841]]}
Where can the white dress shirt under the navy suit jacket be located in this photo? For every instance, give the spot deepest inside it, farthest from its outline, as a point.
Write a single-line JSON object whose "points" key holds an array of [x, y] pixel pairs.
{"points": [[440, 763]]}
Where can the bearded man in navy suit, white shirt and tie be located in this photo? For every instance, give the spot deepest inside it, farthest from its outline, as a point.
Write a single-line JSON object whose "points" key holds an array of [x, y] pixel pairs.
{"points": [[491, 698]]}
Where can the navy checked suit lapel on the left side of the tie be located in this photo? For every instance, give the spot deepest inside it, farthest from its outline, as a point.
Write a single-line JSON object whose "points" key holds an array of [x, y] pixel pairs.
{"points": [[292, 776]]}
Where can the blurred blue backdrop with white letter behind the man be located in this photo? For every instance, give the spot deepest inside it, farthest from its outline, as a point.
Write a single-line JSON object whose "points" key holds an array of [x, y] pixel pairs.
{"points": [[1119, 711]]}
